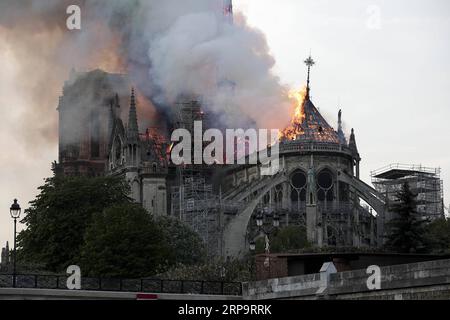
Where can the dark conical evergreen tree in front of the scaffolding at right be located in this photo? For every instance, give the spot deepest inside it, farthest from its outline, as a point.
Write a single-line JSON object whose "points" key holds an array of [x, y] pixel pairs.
{"points": [[407, 228]]}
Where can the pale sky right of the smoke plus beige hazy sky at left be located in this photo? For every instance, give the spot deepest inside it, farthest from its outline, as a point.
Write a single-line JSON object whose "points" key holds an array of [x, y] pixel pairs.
{"points": [[384, 63]]}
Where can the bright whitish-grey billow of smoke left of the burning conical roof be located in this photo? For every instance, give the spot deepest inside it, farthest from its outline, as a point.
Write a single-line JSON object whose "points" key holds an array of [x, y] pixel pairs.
{"points": [[199, 49]]}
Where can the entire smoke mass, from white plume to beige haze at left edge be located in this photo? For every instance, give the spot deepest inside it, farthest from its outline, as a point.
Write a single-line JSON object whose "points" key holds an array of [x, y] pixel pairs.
{"points": [[169, 48]]}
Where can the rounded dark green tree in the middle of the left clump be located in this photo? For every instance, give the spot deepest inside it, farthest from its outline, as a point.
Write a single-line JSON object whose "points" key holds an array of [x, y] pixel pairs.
{"points": [[123, 241]]}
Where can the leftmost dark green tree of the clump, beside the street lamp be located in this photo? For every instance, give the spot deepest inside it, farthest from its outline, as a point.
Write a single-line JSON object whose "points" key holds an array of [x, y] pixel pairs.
{"points": [[57, 219]]}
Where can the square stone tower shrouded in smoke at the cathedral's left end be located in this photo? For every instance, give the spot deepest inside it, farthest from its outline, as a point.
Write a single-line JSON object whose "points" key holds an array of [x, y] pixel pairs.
{"points": [[89, 103]]}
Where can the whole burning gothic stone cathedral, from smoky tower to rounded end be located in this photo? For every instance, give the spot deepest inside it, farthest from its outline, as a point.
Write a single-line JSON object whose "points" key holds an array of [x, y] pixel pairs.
{"points": [[317, 185]]}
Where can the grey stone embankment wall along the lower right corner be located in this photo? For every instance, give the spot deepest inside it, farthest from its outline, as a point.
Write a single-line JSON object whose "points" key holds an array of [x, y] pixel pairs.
{"points": [[424, 280]]}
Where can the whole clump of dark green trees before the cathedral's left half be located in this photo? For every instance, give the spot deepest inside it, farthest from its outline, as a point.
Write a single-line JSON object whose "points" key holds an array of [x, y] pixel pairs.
{"points": [[92, 222]]}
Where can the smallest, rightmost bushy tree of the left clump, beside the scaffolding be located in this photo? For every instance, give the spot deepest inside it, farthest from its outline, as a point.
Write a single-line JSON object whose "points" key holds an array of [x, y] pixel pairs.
{"points": [[186, 246]]}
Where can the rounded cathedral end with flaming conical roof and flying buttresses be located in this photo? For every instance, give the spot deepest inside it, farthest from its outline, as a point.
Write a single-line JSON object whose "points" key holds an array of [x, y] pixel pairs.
{"points": [[318, 187]]}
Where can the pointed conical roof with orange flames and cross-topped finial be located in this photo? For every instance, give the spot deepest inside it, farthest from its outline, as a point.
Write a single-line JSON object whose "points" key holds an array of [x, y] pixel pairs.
{"points": [[307, 124]]}
